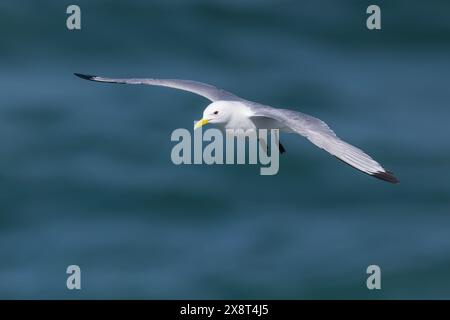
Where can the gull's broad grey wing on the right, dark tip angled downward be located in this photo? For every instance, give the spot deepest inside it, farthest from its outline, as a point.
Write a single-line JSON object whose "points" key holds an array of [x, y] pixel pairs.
{"points": [[318, 132]]}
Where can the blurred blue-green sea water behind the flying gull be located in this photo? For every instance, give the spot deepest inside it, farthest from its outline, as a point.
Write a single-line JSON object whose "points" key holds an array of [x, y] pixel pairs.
{"points": [[86, 176]]}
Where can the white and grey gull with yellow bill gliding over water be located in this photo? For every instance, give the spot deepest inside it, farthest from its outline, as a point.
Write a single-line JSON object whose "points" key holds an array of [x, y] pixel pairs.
{"points": [[232, 112]]}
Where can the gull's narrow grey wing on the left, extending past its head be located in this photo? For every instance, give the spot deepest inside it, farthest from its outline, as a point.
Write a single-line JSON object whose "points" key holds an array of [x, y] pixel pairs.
{"points": [[208, 91]]}
